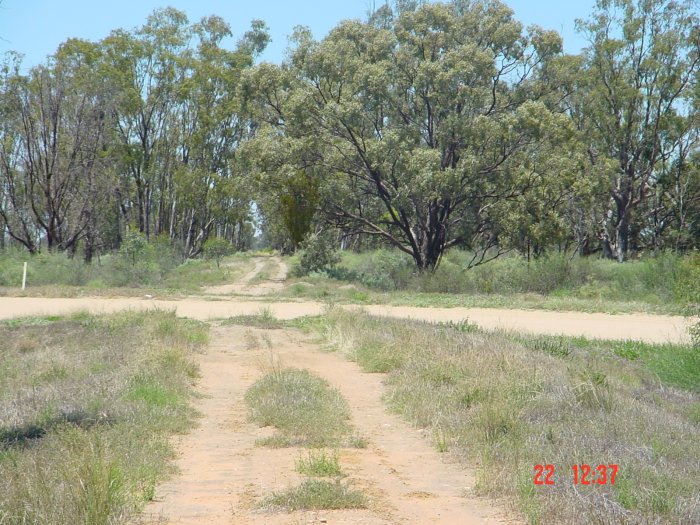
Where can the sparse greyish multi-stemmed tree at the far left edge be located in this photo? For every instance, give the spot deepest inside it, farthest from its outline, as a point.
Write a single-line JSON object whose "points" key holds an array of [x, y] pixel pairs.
{"points": [[52, 159]]}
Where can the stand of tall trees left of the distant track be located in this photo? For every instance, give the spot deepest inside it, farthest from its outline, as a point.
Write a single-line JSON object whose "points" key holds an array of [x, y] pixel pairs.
{"points": [[137, 131]]}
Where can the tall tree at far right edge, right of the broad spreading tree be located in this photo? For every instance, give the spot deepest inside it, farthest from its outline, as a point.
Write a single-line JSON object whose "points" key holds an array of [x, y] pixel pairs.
{"points": [[640, 73]]}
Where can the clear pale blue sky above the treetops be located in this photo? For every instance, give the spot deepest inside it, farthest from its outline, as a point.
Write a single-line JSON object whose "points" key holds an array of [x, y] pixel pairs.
{"points": [[35, 28]]}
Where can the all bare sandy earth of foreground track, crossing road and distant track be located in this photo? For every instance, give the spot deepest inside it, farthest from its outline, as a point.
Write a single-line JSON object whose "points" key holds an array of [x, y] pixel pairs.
{"points": [[223, 475]]}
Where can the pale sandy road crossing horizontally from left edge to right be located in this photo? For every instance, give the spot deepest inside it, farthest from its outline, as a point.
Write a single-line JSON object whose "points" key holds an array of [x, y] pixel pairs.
{"points": [[642, 327]]}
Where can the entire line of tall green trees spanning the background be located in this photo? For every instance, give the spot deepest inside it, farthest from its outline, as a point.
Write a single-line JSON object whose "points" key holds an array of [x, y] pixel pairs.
{"points": [[424, 126]]}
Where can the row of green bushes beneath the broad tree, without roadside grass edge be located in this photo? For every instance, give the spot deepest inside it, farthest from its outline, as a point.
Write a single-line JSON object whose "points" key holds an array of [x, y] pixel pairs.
{"points": [[667, 278]]}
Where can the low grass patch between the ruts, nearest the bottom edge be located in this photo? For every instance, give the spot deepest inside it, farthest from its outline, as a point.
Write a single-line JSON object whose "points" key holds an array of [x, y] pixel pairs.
{"points": [[315, 494]]}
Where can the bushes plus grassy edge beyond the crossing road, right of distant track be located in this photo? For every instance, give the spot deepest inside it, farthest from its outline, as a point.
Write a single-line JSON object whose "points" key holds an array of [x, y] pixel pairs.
{"points": [[668, 283]]}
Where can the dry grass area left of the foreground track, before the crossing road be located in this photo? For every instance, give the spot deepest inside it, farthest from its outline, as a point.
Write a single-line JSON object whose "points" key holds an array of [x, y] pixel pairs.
{"points": [[86, 407]]}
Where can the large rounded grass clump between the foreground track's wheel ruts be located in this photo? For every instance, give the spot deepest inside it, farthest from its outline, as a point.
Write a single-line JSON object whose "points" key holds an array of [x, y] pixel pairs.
{"points": [[303, 408]]}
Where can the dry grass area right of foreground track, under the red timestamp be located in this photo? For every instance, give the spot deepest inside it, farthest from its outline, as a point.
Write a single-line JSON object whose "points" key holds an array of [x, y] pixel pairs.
{"points": [[506, 404]]}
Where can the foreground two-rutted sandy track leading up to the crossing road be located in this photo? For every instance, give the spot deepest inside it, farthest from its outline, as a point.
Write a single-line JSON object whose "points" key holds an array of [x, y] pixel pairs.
{"points": [[223, 474]]}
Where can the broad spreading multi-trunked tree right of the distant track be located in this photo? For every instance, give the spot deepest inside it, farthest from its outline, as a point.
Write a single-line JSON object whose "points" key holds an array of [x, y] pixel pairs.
{"points": [[422, 124]]}
